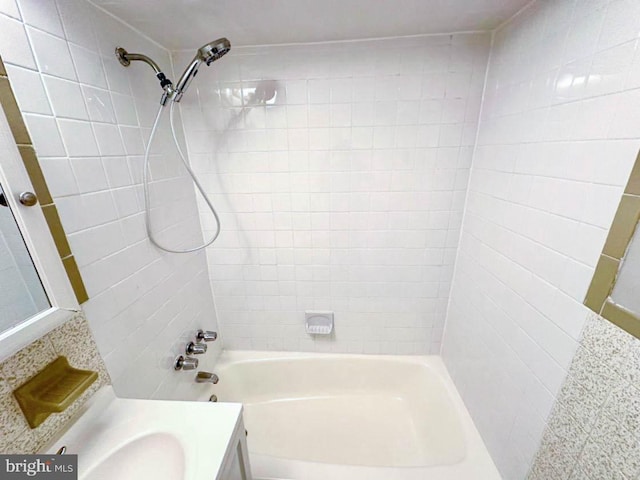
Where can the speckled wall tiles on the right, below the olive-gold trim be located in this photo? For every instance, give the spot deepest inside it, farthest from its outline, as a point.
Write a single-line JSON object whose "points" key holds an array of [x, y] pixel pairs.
{"points": [[593, 432]]}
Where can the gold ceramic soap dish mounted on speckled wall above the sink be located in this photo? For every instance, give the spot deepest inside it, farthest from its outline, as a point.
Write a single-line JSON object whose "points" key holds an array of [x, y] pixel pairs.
{"points": [[52, 390]]}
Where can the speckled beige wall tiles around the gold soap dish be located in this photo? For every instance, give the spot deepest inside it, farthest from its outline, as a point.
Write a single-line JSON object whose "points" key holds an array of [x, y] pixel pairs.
{"points": [[73, 340]]}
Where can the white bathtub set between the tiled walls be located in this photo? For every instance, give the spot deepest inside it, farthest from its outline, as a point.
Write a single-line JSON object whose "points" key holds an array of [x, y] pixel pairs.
{"points": [[352, 417]]}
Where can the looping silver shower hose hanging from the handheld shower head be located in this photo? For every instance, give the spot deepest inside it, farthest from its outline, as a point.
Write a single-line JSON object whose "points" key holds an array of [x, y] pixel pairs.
{"points": [[145, 184]]}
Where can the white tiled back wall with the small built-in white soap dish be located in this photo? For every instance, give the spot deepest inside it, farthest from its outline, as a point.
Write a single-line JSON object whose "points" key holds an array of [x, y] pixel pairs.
{"points": [[340, 172]]}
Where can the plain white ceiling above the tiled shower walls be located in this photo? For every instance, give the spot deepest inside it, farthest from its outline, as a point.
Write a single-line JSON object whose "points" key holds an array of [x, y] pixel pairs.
{"points": [[186, 24]]}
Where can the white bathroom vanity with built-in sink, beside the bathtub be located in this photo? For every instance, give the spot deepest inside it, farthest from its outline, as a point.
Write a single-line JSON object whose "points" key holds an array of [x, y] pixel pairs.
{"points": [[127, 439]]}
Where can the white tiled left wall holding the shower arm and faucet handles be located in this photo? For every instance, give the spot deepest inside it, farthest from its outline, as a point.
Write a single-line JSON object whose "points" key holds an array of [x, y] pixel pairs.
{"points": [[89, 119]]}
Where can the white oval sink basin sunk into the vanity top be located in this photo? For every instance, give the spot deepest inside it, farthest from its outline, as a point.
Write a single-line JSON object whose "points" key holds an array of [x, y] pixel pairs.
{"points": [[158, 455]]}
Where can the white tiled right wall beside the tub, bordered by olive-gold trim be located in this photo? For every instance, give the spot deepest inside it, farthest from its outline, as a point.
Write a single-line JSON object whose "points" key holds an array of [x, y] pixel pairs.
{"points": [[559, 134]]}
